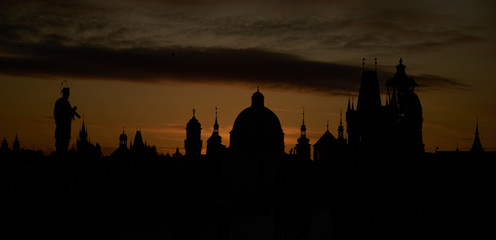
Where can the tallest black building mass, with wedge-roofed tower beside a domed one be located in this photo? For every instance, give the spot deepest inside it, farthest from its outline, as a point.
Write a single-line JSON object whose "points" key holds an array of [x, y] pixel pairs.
{"points": [[372, 127]]}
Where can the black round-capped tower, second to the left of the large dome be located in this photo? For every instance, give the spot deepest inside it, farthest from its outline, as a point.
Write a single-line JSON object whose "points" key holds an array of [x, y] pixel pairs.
{"points": [[193, 142]]}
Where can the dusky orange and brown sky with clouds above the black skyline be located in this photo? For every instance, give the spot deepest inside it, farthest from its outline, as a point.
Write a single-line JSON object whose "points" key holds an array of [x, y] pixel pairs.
{"points": [[146, 64]]}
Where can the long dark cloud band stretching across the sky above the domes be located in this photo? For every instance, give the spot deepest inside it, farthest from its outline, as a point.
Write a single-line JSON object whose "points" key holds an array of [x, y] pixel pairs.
{"points": [[188, 64]]}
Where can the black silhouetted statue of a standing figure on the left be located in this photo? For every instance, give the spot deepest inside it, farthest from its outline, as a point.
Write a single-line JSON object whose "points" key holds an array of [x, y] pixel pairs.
{"points": [[64, 114]]}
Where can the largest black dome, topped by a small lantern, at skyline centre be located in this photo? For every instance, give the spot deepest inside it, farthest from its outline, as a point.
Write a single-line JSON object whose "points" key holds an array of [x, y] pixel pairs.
{"points": [[257, 131]]}
